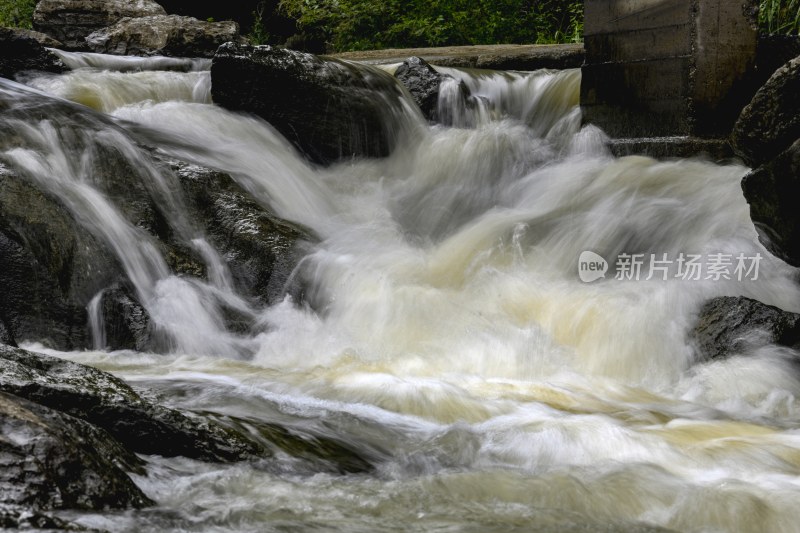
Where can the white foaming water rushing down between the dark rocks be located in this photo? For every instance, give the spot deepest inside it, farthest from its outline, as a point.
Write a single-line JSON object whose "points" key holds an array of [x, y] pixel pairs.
{"points": [[450, 340]]}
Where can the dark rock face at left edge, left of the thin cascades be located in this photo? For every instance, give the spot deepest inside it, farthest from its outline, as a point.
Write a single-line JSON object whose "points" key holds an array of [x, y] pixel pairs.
{"points": [[50, 267]]}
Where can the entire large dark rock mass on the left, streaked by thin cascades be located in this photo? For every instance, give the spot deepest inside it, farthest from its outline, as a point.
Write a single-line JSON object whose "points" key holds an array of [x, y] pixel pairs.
{"points": [[52, 265]]}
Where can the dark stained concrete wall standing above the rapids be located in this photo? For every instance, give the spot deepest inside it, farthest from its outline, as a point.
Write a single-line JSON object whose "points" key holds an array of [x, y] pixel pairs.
{"points": [[666, 67]]}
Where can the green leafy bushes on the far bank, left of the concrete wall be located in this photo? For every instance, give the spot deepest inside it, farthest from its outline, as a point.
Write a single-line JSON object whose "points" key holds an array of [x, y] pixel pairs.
{"points": [[372, 24]]}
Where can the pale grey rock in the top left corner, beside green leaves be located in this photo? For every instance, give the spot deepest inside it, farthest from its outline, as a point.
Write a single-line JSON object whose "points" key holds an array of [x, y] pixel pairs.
{"points": [[70, 21]]}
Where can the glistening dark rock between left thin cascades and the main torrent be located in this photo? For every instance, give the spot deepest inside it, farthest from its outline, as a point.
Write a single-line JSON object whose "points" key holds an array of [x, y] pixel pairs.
{"points": [[260, 249]]}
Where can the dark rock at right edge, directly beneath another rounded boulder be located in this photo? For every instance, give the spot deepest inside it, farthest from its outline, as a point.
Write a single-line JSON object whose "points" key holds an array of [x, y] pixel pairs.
{"points": [[772, 190]]}
